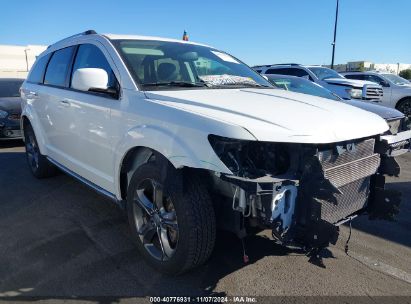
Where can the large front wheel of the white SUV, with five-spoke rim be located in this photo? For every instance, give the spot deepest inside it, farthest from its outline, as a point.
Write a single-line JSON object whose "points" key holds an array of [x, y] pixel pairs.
{"points": [[173, 224]]}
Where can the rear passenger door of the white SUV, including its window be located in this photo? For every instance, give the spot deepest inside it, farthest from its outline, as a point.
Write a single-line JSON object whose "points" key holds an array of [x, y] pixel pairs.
{"points": [[57, 118]]}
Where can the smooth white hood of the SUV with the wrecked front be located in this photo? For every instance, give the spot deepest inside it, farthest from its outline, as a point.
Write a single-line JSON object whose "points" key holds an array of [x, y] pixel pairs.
{"points": [[276, 115]]}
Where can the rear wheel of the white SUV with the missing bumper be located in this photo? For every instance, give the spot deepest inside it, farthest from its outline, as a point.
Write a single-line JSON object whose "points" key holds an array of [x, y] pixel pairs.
{"points": [[39, 165]]}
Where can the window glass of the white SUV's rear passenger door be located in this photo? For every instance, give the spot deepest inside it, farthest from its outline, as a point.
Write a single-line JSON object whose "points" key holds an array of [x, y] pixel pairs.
{"points": [[58, 67]]}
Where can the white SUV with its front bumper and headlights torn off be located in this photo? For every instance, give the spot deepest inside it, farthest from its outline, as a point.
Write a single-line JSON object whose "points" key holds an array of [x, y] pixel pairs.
{"points": [[188, 138]]}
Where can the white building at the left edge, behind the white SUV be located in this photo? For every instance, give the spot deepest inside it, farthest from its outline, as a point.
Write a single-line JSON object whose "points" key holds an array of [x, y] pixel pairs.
{"points": [[16, 61]]}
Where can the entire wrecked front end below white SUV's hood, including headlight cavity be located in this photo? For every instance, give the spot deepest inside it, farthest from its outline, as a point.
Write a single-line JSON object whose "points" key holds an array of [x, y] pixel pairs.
{"points": [[303, 192]]}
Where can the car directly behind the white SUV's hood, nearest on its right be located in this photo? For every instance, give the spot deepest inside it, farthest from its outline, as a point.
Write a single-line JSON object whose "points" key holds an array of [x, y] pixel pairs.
{"points": [[400, 125]]}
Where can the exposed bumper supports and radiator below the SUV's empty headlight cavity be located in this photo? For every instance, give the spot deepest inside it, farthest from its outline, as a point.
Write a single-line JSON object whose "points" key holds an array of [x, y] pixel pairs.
{"points": [[333, 188]]}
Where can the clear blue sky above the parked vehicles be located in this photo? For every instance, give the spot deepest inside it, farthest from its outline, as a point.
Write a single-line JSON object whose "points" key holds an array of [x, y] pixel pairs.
{"points": [[257, 31]]}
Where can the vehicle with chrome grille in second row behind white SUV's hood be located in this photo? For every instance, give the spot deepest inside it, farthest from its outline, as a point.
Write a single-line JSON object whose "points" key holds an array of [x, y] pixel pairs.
{"points": [[328, 78]]}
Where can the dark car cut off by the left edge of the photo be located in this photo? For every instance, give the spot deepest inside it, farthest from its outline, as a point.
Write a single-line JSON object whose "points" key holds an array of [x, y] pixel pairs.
{"points": [[10, 108]]}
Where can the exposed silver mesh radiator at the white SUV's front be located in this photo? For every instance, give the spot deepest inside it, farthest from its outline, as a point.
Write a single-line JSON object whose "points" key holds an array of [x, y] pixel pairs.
{"points": [[350, 172]]}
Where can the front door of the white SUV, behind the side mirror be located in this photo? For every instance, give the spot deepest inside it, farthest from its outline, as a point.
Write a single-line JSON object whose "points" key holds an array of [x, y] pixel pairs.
{"points": [[93, 147]]}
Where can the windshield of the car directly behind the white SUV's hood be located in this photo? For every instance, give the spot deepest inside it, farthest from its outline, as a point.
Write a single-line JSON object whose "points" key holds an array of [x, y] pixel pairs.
{"points": [[301, 85]]}
